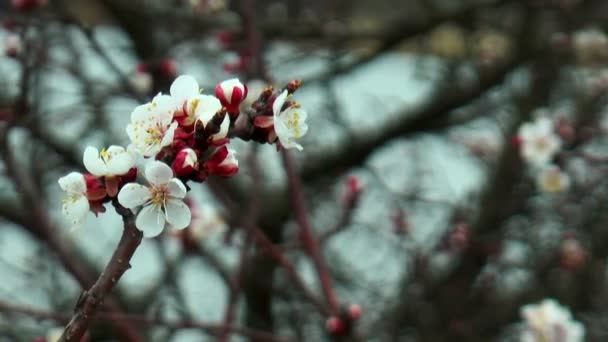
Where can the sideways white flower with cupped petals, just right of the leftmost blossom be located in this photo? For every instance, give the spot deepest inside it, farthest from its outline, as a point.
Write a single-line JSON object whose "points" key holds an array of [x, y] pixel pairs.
{"points": [[114, 161]]}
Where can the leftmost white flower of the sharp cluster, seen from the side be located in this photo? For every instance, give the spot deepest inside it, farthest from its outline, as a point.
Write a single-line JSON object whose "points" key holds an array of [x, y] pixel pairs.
{"points": [[75, 205]]}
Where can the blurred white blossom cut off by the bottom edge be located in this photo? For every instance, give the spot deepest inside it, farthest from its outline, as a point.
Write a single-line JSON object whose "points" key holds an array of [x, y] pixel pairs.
{"points": [[550, 322]]}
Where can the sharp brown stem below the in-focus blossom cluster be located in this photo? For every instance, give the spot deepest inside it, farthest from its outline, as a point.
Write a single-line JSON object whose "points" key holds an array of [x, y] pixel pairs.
{"points": [[90, 300]]}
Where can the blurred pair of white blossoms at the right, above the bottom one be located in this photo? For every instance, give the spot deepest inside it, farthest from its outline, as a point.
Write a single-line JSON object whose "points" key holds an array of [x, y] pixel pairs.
{"points": [[539, 145]]}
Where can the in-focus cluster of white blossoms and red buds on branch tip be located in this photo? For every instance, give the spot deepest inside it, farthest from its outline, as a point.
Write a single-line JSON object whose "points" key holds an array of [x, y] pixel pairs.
{"points": [[183, 136]]}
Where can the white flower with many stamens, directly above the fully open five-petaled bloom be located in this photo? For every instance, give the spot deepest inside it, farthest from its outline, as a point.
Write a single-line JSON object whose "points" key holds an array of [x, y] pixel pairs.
{"points": [[151, 126]]}
